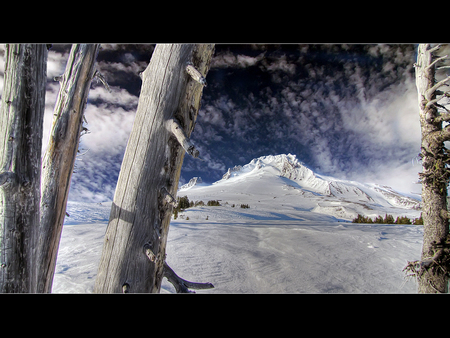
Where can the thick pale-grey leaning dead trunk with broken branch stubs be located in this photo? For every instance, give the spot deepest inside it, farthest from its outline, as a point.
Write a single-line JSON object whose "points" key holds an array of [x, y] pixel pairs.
{"points": [[134, 248]]}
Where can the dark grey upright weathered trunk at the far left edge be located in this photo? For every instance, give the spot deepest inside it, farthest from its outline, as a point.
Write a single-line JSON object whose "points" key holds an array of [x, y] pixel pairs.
{"points": [[21, 120]]}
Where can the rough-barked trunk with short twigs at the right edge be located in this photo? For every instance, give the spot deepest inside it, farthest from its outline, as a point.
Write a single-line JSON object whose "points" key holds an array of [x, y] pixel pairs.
{"points": [[435, 174]]}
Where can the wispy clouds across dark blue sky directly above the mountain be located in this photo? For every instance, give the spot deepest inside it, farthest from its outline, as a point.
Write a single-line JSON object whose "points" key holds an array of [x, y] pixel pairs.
{"points": [[345, 111]]}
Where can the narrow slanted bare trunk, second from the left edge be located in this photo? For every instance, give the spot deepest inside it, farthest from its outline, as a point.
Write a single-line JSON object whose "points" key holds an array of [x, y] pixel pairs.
{"points": [[59, 159]]}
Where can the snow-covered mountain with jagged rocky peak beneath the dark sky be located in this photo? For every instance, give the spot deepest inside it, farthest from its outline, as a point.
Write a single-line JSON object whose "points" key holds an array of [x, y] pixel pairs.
{"points": [[282, 182]]}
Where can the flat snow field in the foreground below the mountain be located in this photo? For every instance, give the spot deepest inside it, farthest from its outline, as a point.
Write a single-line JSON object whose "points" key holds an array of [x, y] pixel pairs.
{"points": [[262, 256]]}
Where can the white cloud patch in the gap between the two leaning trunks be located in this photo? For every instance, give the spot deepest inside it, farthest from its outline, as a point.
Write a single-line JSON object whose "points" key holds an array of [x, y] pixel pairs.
{"points": [[110, 121]]}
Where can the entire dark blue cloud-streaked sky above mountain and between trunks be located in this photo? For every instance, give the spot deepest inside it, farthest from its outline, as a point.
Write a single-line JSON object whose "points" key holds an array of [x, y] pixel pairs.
{"points": [[348, 111]]}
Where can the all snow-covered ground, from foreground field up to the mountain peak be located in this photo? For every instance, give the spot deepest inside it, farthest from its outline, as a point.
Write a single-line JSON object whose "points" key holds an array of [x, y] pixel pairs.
{"points": [[294, 238]]}
